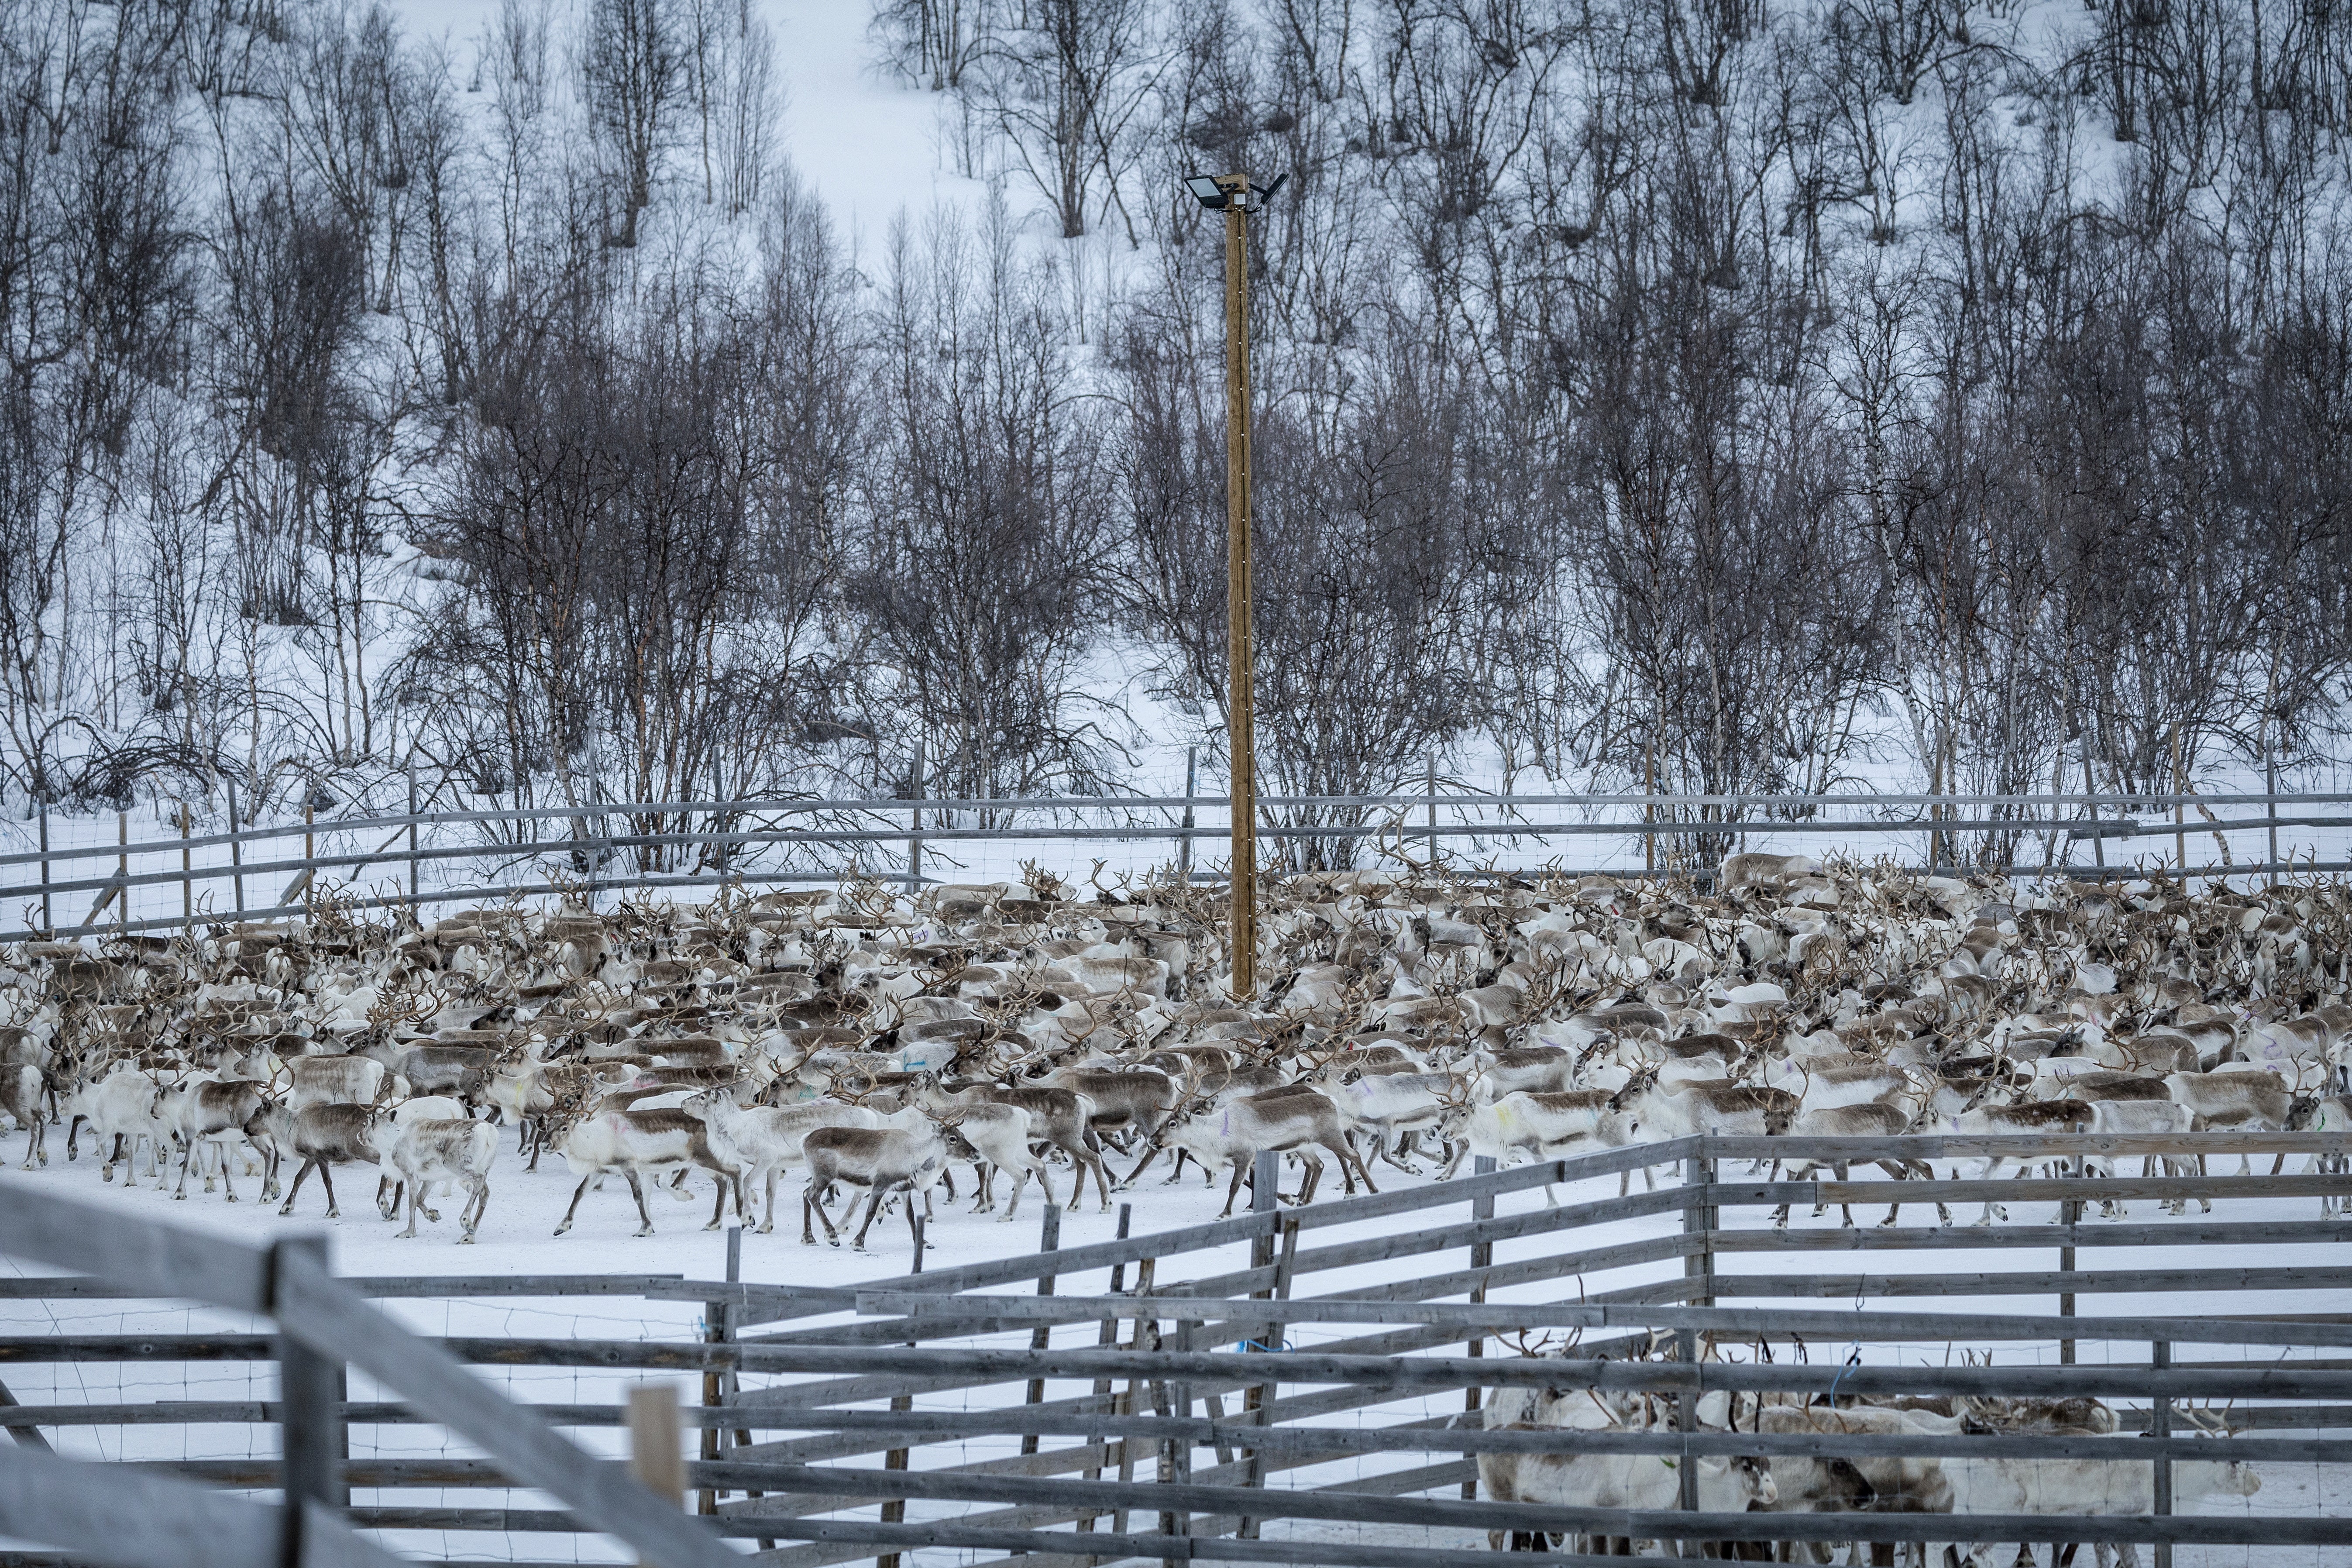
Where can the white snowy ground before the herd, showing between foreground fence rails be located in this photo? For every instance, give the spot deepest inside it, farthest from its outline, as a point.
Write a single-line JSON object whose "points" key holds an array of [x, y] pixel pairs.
{"points": [[526, 1209]]}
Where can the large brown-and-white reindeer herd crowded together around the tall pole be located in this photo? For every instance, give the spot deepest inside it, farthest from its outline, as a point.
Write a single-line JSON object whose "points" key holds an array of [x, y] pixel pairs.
{"points": [[881, 1045]]}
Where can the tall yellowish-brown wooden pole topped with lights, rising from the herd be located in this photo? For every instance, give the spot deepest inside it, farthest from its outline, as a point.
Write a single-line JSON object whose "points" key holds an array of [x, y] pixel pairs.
{"points": [[1238, 199]]}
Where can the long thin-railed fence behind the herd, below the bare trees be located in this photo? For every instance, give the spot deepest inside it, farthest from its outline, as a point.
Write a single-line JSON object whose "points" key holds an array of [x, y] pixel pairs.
{"points": [[161, 883]]}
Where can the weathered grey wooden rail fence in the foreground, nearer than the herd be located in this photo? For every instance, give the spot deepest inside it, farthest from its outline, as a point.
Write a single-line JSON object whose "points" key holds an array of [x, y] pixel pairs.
{"points": [[1302, 1386]]}
